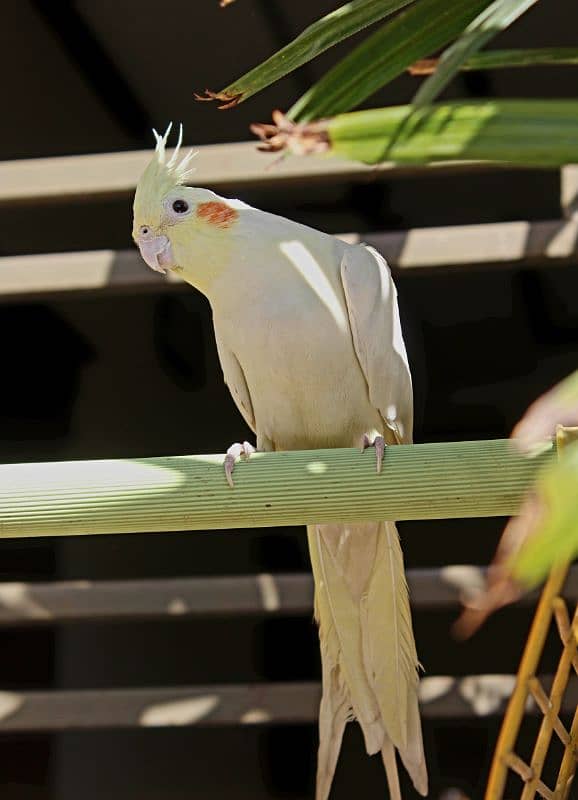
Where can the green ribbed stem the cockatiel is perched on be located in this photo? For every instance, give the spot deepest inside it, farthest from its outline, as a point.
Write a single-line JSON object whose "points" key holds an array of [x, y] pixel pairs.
{"points": [[424, 481]]}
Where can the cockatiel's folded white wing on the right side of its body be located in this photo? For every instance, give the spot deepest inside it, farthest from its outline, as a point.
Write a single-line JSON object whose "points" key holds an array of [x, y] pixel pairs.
{"points": [[371, 299]]}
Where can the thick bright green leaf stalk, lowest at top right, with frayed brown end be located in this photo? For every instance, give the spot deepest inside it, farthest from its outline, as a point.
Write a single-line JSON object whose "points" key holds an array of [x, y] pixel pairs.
{"points": [[541, 133]]}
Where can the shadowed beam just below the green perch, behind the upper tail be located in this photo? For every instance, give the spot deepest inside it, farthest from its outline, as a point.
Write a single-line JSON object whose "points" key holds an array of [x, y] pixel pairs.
{"points": [[235, 595]]}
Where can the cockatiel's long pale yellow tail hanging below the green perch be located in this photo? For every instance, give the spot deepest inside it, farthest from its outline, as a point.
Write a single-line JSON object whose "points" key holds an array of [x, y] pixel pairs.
{"points": [[368, 653]]}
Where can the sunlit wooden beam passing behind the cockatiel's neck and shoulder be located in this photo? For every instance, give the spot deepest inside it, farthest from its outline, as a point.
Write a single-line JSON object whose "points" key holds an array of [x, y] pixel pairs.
{"points": [[521, 244]]}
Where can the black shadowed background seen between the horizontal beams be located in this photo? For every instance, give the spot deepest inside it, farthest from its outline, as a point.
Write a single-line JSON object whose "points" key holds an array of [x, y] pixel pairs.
{"points": [[137, 375]]}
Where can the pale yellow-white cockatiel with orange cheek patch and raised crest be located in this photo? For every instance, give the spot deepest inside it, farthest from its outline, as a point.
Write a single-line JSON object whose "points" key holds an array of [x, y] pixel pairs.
{"points": [[310, 343]]}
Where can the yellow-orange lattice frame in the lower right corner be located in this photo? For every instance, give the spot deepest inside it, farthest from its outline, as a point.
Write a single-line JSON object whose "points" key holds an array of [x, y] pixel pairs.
{"points": [[551, 607]]}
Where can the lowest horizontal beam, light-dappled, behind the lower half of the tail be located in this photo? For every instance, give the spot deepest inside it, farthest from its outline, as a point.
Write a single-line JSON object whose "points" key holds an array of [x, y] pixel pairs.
{"points": [[441, 696]]}
